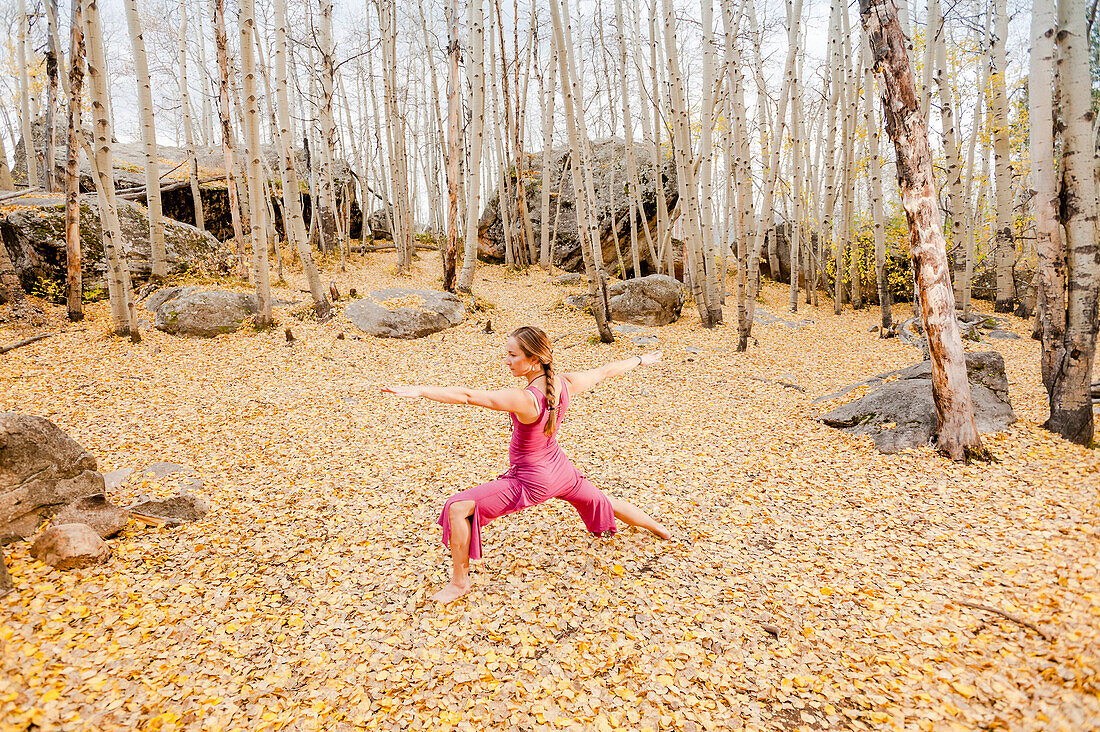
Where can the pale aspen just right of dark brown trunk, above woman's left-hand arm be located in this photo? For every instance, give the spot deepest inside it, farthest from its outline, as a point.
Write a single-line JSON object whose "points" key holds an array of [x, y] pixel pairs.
{"points": [[477, 143]]}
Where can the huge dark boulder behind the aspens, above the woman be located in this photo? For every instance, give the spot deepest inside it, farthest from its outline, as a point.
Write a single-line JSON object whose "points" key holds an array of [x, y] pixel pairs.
{"points": [[613, 204]]}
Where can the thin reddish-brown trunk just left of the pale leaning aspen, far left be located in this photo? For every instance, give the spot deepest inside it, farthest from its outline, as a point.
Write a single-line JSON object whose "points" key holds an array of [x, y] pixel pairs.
{"points": [[73, 255]]}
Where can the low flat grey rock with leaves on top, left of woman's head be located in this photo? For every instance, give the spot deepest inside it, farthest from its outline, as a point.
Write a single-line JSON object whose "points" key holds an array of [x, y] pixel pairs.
{"points": [[403, 313]]}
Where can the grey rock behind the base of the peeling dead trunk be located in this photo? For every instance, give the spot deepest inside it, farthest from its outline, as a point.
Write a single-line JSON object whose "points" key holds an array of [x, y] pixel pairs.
{"points": [[900, 413]]}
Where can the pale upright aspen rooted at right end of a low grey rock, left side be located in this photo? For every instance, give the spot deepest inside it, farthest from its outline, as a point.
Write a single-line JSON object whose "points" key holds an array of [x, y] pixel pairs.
{"points": [[258, 211]]}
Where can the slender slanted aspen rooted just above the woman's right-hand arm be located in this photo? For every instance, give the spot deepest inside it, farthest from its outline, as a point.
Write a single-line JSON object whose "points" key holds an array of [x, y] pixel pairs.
{"points": [[563, 50]]}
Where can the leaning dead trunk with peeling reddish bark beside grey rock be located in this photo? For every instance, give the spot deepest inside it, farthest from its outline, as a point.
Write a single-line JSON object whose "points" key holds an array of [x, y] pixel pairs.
{"points": [[959, 435]]}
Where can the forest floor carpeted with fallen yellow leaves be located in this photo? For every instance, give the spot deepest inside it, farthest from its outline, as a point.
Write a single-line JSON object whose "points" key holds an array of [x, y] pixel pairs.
{"points": [[301, 600]]}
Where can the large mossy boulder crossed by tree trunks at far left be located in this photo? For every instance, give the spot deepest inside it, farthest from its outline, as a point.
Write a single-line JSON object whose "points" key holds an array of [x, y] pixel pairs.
{"points": [[32, 230]]}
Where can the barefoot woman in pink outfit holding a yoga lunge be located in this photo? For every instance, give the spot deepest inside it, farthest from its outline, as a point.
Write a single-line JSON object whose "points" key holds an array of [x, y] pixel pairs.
{"points": [[541, 471]]}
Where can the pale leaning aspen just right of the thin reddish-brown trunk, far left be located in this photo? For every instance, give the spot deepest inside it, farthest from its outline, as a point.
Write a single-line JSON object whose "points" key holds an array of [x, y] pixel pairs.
{"points": [[124, 314]]}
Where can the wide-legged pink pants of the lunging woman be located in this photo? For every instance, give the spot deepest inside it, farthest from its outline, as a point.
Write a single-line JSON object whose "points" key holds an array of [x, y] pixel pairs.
{"points": [[509, 495]]}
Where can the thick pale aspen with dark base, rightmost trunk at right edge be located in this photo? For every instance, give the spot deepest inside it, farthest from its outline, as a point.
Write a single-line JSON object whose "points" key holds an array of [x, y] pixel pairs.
{"points": [[1071, 403]]}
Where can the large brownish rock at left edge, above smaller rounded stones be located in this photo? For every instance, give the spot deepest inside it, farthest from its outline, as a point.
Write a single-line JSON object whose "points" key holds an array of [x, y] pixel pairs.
{"points": [[42, 471]]}
